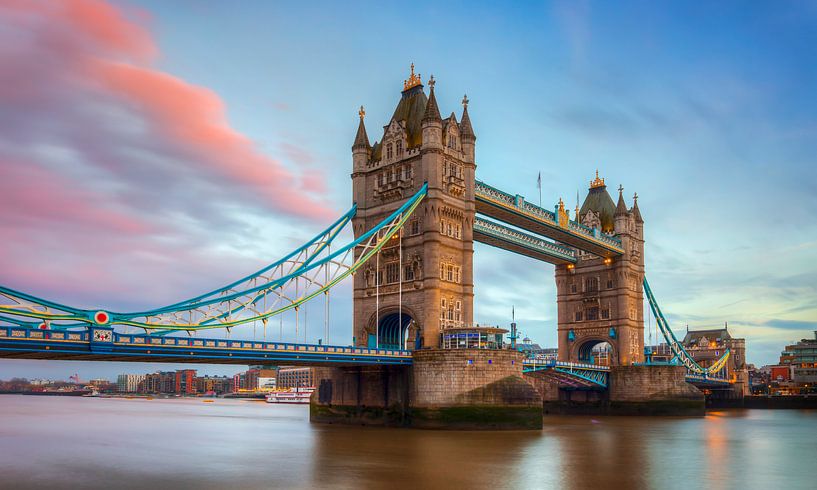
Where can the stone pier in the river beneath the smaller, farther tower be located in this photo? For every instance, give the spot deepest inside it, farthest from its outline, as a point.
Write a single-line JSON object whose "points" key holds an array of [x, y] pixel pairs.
{"points": [[653, 390]]}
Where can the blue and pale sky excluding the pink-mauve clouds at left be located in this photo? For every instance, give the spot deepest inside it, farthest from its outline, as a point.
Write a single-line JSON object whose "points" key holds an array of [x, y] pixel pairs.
{"points": [[708, 111]]}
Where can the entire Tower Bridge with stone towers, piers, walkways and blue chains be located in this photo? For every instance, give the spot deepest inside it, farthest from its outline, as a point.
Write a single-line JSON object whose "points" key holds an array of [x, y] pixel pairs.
{"points": [[417, 210]]}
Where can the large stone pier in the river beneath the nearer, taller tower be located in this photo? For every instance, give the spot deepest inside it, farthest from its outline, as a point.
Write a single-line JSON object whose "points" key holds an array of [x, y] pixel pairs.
{"points": [[444, 389]]}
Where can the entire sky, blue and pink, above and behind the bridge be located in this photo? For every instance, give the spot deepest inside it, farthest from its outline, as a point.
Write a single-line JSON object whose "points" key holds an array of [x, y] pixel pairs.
{"points": [[152, 150]]}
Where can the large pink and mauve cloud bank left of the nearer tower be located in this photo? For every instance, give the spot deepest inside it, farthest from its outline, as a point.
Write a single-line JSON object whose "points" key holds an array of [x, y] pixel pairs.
{"points": [[119, 180]]}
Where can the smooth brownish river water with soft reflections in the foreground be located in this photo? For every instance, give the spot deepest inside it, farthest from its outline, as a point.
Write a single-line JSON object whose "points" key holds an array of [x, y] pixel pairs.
{"points": [[58, 442]]}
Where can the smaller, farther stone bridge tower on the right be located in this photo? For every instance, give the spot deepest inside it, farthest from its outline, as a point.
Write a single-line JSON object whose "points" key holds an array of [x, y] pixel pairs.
{"points": [[600, 299]]}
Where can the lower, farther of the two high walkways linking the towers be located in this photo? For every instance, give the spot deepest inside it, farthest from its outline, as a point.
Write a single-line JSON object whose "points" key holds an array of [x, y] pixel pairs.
{"points": [[506, 238]]}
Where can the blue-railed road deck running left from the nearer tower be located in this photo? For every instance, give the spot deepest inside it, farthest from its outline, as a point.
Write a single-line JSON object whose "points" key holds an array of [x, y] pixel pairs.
{"points": [[26, 343]]}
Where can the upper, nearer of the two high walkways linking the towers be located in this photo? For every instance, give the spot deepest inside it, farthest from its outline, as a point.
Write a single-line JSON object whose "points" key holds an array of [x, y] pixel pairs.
{"points": [[515, 211]]}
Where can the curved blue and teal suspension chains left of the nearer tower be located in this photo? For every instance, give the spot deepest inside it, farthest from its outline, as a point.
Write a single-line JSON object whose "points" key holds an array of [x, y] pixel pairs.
{"points": [[307, 272]]}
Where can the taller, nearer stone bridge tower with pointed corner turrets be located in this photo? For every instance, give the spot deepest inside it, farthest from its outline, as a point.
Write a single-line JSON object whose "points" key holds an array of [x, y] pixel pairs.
{"points": [[433, 273]]}
